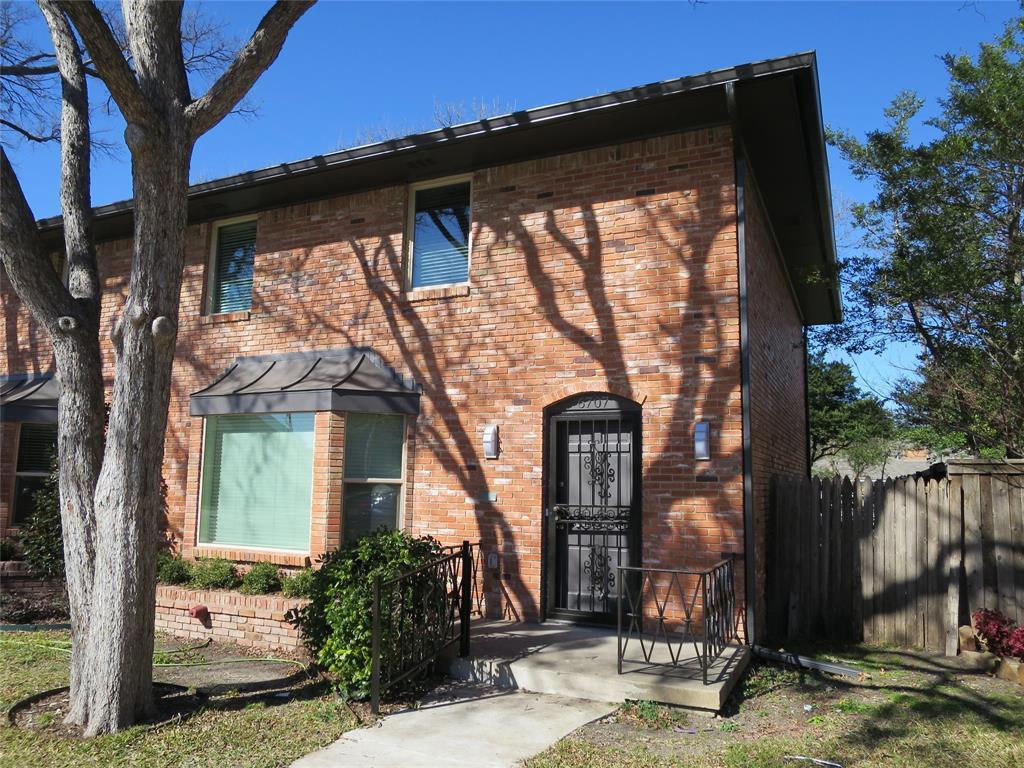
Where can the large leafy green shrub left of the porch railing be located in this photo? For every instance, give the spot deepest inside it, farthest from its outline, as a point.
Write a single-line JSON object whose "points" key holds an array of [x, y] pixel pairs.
{"points": [[337, 625]]}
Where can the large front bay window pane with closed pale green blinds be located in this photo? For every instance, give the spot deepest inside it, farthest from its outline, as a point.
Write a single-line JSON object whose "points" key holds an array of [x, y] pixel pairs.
{"points": [[258, 482]]}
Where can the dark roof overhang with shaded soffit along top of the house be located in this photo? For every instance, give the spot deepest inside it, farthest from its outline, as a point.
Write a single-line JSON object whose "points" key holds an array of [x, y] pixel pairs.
{"points": [[780, 117]]}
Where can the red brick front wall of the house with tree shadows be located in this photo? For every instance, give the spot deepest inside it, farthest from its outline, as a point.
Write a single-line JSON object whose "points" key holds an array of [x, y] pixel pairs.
{"points": [[612, 270]]}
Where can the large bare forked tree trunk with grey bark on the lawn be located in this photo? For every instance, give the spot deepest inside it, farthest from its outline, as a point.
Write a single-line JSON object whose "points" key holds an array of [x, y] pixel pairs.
{"points": [[111, 509]]}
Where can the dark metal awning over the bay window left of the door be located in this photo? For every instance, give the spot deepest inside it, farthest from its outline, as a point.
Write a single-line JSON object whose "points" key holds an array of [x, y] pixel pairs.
{"points": [[349, 380]]}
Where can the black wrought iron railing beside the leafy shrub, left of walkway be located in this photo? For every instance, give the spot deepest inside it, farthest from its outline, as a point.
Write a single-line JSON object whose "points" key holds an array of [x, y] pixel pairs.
{"points": [[420, 614]]}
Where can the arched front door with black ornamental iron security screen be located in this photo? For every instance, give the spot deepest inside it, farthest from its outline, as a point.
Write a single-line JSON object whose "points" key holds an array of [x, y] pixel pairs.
{"points": [[593, 513]]}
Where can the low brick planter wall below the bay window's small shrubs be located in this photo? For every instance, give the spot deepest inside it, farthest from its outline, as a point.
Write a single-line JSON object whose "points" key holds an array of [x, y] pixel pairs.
{"points": [[253, 621]]}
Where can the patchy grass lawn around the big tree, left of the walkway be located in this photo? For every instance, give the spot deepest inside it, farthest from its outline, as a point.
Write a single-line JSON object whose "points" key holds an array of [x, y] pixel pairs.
{"points": [[249, 730]]}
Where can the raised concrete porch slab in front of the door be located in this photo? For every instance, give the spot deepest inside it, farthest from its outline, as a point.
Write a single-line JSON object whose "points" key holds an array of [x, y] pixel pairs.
{"points": [[580, 663]]}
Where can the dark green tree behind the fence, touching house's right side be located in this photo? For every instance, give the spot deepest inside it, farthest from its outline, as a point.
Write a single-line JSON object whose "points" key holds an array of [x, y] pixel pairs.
{"points": [[841, 415]]}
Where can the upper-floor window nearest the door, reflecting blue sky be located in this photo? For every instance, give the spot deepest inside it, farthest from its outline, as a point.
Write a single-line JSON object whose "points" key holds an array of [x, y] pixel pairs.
{"points": [[440, 228]]}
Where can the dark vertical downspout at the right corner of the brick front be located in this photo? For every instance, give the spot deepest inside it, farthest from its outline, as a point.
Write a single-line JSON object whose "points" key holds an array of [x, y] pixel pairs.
{"points": [[750, 584]]}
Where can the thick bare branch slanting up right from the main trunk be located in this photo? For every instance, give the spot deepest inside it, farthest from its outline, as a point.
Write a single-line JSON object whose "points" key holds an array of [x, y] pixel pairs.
{"points": [[251, 62]]}
